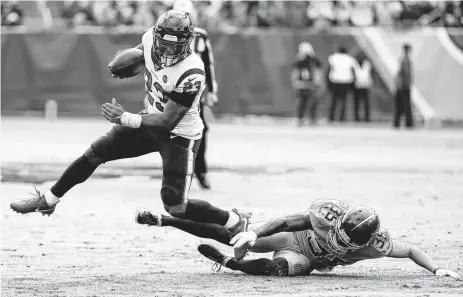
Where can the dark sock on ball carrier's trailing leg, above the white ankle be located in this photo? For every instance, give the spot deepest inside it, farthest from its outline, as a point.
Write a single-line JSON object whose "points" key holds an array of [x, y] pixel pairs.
{"points": [[204, 212]]}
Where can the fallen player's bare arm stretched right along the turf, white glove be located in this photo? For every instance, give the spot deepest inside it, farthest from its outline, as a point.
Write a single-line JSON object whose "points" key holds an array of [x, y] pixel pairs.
{"points": [[402, 249]]}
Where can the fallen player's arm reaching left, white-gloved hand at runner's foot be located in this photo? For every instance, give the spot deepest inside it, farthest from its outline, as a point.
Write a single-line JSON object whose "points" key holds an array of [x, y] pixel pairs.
{"points": [[292, 223]]}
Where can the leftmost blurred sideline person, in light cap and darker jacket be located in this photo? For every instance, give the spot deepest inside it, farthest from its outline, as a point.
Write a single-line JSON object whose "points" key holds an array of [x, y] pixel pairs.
{"points": [[305, 80]]}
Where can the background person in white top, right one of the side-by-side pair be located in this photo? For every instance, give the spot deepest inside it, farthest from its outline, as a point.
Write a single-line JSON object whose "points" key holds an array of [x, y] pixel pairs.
{"points": [[363, 82]]}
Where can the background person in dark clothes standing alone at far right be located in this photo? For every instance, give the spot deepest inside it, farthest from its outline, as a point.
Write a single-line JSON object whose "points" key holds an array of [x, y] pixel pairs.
{"points": [[403, 82]]}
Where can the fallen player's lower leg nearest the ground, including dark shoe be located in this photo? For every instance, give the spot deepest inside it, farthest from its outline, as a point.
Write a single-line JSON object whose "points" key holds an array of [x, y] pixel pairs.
{"points": [[263, 266]]}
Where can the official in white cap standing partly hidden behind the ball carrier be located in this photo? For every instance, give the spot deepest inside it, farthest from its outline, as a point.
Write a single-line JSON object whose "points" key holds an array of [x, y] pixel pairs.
{"points": [[202, 46]]}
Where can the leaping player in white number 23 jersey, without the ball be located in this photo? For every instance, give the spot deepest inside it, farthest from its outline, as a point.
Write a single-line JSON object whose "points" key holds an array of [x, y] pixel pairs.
{"points": [[172, 126]]}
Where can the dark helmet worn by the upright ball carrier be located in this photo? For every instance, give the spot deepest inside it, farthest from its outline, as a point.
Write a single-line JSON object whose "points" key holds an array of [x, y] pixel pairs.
{"points": [[172, 37]]}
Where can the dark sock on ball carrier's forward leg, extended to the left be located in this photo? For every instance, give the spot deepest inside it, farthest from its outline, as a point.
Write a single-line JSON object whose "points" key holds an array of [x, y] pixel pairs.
{"points": [[76, 173]]}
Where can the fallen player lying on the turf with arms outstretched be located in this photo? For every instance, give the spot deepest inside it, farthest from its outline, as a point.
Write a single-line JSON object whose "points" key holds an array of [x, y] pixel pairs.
{"points": [[330, 233]]}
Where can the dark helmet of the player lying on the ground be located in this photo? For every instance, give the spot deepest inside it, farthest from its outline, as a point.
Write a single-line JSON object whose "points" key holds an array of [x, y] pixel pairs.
{"points": [[353, 231]]}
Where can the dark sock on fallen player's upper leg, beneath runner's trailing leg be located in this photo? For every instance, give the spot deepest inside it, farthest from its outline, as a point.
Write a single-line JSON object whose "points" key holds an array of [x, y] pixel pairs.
{"points": [[203, 230]]}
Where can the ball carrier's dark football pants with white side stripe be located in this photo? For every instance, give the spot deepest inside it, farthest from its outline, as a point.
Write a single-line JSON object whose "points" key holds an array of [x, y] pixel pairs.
{"points": [[177, 153]]}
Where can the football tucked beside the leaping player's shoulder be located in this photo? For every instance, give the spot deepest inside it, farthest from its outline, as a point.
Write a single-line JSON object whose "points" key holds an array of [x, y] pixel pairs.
{"points": [[127, 63]]}
